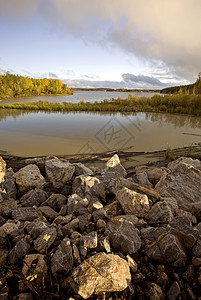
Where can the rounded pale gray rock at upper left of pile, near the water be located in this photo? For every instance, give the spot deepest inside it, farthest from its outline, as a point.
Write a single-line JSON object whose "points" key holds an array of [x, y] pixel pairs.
{"points": [[28, 178]]}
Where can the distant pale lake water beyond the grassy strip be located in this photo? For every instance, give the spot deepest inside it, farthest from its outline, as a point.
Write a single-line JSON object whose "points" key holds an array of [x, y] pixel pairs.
{"points": [[76, 97]]}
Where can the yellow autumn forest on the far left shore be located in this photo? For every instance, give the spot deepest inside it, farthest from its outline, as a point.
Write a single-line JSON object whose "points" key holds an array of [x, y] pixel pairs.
{"points": [[14, 85]]}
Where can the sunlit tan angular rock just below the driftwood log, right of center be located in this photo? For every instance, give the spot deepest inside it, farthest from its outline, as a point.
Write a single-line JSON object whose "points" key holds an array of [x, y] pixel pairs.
{"points": [[133, 203]]}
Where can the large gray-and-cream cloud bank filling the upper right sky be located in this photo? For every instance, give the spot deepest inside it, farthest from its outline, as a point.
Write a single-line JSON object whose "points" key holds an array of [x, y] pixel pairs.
{"points": [[155, 31]]}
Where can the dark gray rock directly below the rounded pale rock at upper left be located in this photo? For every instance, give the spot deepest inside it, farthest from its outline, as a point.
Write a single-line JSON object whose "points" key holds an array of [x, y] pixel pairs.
{"points": [[34, 198]]}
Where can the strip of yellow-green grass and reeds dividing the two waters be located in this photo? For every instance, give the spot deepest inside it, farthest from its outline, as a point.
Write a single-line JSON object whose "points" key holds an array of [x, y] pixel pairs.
{"points": [[185, 104]]}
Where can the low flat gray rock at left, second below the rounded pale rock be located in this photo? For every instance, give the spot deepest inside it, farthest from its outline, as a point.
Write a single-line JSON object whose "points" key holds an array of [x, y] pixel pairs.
{"points": [[26, 214]]}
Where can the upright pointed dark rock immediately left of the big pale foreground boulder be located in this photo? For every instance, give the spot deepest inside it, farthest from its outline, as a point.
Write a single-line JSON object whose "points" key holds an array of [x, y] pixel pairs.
{"points": [[62, 260]]}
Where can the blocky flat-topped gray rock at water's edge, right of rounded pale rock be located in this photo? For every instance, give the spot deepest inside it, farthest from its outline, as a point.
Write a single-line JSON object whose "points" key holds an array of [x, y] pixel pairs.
{"points": [[59, 170]]}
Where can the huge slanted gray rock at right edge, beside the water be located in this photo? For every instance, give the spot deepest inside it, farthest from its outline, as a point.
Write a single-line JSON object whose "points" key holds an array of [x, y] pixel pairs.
{"points": [[182, 182]]}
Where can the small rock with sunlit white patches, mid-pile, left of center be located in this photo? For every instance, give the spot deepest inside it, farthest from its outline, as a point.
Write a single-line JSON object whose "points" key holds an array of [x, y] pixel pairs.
{"points": [[77, 205]]}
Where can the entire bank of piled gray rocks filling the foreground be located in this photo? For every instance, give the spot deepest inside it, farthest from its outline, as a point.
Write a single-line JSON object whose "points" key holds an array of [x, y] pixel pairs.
{"points": [[72, 232]]}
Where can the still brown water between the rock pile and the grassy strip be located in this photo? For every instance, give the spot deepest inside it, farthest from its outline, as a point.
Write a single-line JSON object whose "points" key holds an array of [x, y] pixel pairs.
{"points": [[41, 133]]}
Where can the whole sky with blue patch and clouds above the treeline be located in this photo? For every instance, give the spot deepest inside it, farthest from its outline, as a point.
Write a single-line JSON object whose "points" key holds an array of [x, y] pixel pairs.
{"points": [[147, 44]]}
